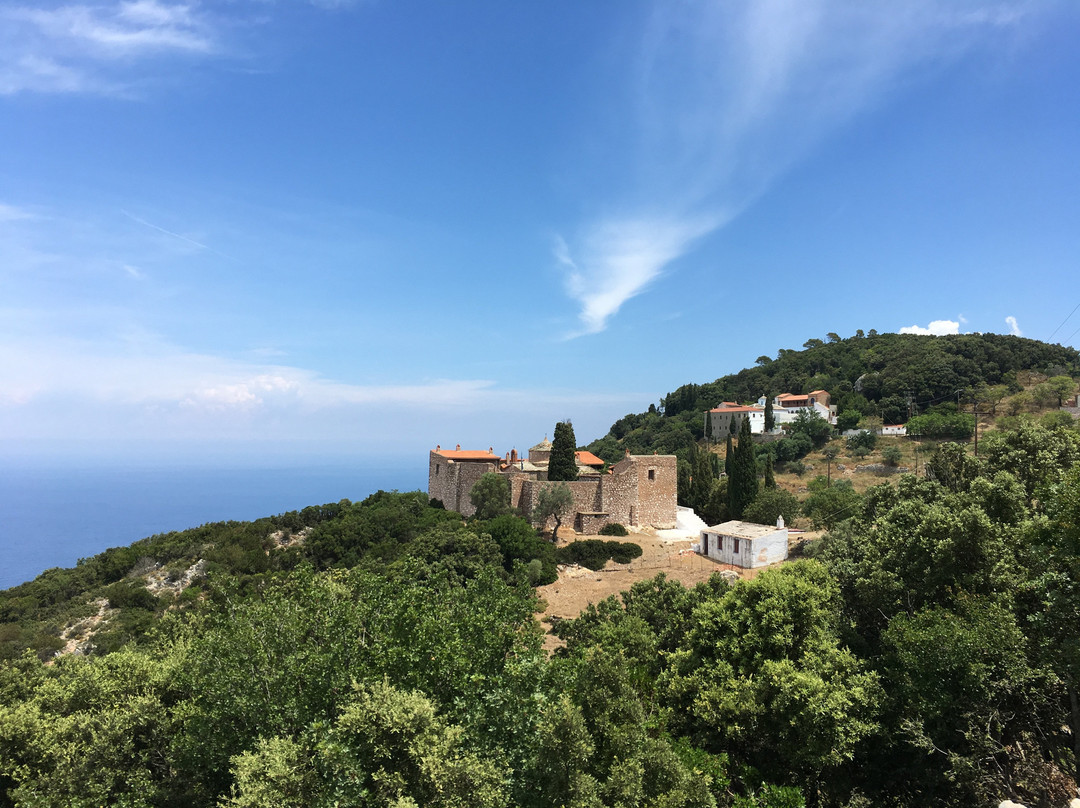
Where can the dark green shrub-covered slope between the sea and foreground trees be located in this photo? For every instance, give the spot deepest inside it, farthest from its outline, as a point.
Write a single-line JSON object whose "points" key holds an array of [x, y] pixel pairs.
{"points": [[401, 534]]}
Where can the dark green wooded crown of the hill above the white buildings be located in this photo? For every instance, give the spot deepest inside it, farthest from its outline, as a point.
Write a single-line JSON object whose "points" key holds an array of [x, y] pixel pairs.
{"points": [[875, 374]]}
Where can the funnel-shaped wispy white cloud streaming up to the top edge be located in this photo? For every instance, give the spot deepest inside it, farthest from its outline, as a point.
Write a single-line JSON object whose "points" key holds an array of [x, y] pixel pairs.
{"points": [[730, 97]]}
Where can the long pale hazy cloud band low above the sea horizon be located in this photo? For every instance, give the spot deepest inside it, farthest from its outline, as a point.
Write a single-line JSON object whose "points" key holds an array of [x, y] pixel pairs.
{"points": [[142, 389]]}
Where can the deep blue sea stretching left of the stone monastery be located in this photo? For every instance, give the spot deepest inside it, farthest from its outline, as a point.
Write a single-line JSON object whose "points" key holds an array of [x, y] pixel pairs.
{"points": [[55, 517]]}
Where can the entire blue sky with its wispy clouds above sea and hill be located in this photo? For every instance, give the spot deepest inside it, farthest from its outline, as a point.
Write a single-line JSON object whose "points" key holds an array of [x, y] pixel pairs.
{"points": [[260, 231]]}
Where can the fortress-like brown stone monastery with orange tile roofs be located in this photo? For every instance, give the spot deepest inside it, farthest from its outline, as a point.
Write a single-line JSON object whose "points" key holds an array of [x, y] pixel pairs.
{"points": [[639, 491]]}
